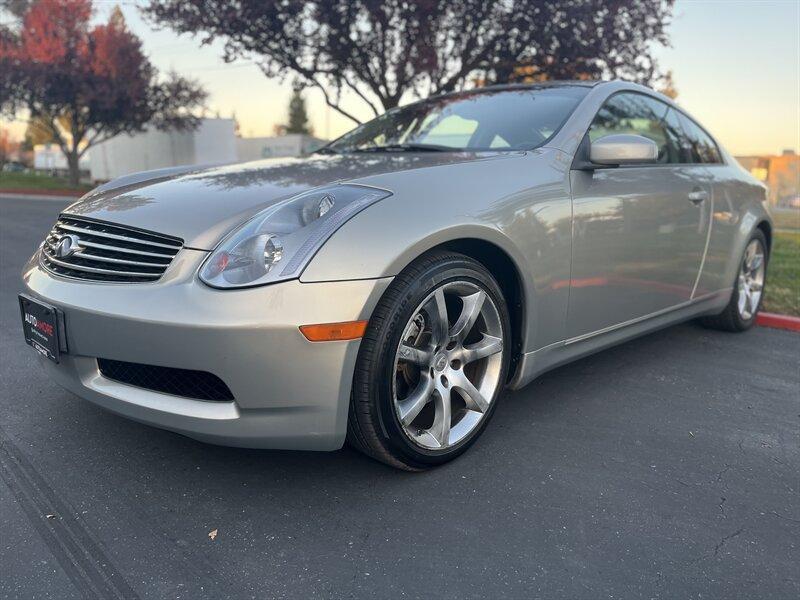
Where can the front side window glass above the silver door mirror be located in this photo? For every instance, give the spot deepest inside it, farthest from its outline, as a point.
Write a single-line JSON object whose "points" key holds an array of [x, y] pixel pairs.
{"points": [[637, 114]]}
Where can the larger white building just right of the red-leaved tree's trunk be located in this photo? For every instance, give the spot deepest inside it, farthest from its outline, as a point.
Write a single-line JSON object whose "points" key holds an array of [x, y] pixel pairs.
{"points": [[213, 142]]}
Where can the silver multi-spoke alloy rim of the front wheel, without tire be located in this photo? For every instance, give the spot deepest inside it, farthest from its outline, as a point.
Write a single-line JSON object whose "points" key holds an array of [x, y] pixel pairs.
{"points": [[448, 365]]}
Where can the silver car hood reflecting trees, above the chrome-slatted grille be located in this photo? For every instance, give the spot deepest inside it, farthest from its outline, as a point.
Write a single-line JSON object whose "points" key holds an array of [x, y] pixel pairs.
{"points": [[201, 205]]}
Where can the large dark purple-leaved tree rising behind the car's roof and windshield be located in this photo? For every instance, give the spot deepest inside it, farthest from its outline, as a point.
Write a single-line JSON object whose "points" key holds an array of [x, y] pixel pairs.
{"points": [[383, 51]]}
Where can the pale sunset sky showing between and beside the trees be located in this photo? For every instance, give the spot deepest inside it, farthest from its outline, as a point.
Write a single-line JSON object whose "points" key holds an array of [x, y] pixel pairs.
{"points": [[735, 64]]}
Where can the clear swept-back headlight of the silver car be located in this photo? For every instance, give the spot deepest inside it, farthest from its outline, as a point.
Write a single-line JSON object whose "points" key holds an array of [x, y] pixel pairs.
{"points": [[279, 242]]}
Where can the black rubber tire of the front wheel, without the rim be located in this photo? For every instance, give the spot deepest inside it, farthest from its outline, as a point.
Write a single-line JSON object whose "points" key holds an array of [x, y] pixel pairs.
{"points": [[373, 425]]}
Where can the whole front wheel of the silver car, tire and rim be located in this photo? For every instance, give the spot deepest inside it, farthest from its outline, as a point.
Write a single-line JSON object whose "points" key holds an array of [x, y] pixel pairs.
{"points": [[432, 363]]}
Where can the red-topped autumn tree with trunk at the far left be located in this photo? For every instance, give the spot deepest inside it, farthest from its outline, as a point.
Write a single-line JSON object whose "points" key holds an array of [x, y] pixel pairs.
{"points": [[82, 83]]}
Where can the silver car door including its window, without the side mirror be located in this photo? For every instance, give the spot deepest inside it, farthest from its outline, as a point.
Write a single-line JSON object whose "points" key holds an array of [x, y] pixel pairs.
{"points": [[639, 232]]}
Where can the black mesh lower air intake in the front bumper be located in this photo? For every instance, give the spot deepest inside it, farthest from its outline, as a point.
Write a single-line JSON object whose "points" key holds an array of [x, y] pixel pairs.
{"points": [[178, 382]]}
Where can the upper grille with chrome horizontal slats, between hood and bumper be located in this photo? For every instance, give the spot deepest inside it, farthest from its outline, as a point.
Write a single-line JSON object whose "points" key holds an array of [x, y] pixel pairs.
{"points": [[106, 252]]}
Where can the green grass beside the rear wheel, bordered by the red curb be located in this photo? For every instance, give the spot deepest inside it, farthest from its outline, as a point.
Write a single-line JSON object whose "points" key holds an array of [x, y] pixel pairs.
{"points": [[783, 277]]}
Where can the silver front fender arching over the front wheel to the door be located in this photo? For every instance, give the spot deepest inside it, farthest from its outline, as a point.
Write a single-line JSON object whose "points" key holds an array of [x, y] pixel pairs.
{"points": [[521, 206]]}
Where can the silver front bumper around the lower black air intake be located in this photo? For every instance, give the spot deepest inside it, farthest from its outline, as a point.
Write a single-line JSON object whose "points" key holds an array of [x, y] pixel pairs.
{"points": [[288, 392]]}
